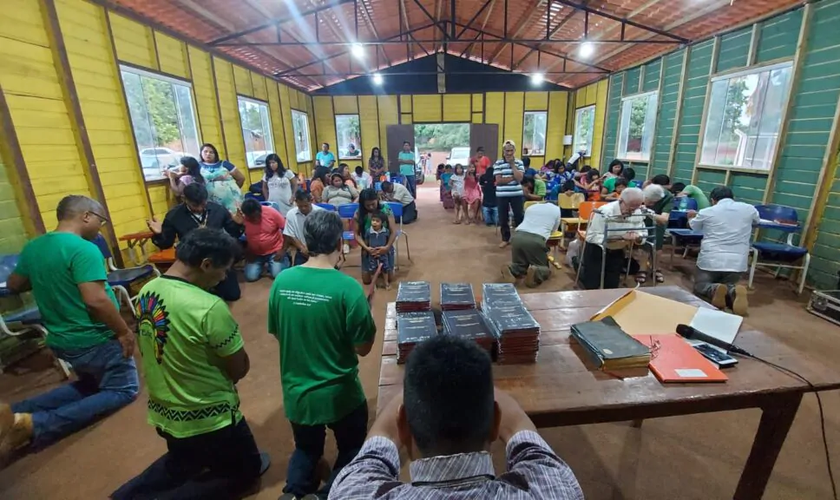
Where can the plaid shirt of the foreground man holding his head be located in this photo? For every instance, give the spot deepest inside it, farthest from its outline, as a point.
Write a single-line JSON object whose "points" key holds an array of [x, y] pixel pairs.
{"points": [[534, 471]]}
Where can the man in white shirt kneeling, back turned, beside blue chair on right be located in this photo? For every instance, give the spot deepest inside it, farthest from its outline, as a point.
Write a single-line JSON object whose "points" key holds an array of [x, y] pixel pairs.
{"points": [[724, 252]]}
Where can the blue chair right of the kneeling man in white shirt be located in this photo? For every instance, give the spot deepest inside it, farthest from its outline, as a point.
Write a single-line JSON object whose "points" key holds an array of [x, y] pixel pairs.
{"points": [[780, 255]]}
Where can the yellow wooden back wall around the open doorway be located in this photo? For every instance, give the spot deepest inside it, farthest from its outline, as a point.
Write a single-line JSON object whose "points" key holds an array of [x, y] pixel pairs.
{"points": [[506, 109]]}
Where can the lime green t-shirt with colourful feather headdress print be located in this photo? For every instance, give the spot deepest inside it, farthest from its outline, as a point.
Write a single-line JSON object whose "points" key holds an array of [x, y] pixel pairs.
{"points": [[184, 334]]}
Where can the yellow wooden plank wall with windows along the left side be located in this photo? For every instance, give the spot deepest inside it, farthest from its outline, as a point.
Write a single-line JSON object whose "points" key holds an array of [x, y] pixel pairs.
{"points": [[95, 41]]}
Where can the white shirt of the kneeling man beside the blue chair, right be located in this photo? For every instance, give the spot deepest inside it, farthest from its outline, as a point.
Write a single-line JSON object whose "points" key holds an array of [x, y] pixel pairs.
{"points": [[727, 228]]}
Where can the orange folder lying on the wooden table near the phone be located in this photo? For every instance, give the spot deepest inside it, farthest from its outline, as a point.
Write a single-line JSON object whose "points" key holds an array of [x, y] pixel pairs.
{"points": [[672, 359]]}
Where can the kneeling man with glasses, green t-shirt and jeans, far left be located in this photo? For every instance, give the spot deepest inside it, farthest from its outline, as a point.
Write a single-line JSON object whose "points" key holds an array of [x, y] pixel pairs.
{"points": [[66, 274]]}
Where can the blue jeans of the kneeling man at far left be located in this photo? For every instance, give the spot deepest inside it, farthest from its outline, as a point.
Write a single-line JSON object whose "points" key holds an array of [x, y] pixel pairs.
{"points": [[107, 382]]}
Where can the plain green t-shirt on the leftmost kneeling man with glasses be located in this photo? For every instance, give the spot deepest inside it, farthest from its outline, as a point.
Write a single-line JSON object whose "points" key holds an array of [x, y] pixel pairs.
{"points": [[56, 264]]}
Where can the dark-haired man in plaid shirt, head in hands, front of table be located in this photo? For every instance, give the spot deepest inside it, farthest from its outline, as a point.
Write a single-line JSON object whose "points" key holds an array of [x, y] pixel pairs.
{"points": [[447, 417]]}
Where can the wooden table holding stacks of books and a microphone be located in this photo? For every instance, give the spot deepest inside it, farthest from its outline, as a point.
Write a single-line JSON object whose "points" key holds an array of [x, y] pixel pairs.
{"points": [[560, 389]]}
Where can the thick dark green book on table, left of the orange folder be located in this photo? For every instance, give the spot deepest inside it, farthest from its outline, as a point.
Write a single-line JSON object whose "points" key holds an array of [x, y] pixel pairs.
{"points": [[609, 347]]}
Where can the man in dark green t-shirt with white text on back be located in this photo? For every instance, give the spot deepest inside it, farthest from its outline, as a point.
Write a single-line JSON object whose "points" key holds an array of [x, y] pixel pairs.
{"points": [[321, 318]]}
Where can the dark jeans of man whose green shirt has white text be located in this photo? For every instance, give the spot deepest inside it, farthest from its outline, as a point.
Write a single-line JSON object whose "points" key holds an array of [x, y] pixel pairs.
{"points": [[350, 433]]}
